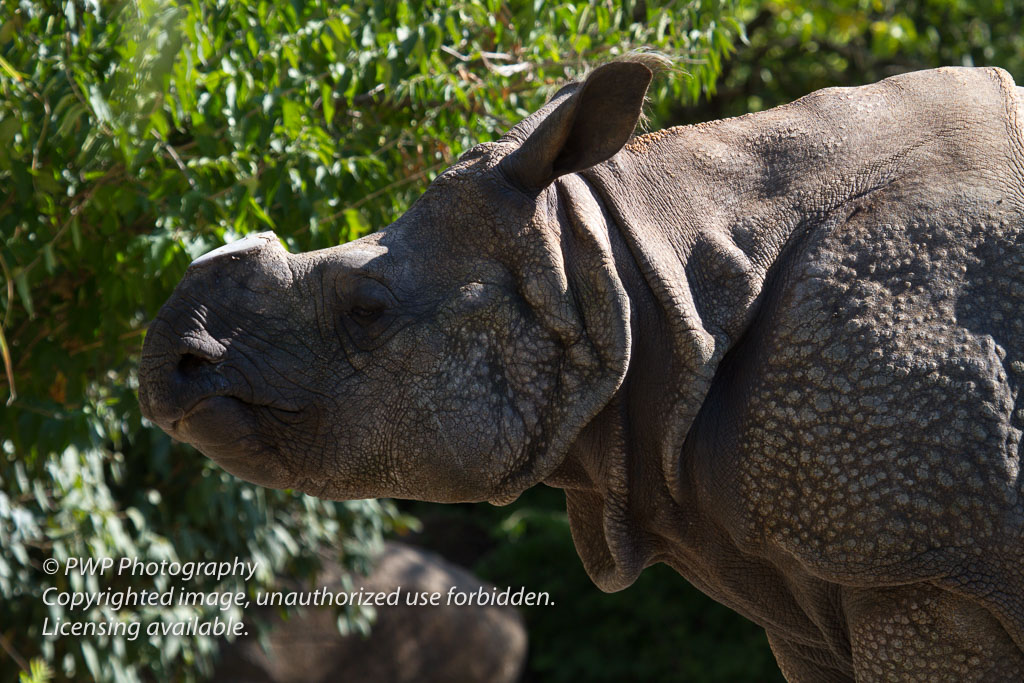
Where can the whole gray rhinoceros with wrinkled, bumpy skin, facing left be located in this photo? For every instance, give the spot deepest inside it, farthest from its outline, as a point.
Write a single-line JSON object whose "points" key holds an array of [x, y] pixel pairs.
{"points": [[782, 354]]}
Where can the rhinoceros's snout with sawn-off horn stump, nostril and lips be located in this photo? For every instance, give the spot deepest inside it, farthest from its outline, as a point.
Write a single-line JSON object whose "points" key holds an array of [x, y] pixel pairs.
{"points": [[203, 374]]}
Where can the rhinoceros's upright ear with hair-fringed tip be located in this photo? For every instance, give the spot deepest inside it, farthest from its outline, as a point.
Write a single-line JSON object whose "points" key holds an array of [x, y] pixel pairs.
{"points": [[588, 125]]}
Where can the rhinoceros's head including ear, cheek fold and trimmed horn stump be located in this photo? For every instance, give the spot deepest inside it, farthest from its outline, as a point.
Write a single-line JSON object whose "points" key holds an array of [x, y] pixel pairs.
{"points": [[454, 356]]}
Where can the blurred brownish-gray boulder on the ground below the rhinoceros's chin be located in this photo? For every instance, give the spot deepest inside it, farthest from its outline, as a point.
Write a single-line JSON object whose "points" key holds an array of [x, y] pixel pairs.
{"points": [[407, 645]]}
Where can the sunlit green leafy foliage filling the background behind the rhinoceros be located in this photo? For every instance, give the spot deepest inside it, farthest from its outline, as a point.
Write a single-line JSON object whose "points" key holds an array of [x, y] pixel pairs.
{"points": [[137, 136]]}
